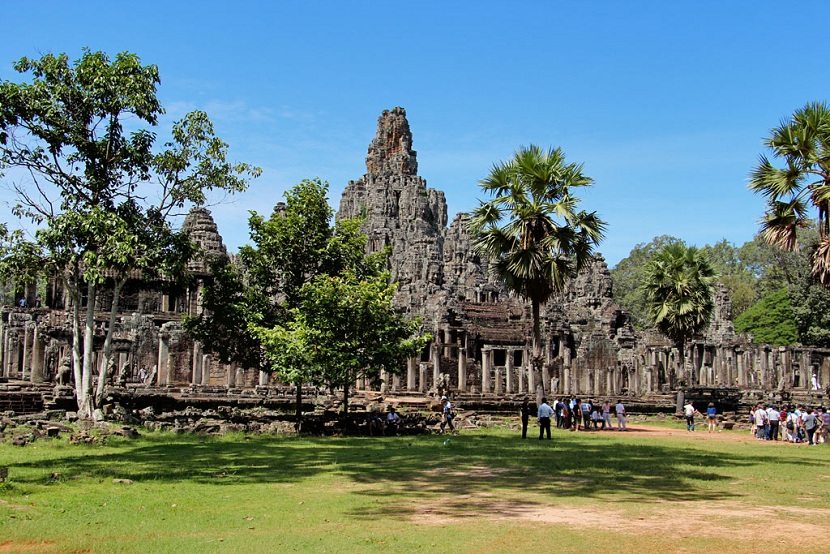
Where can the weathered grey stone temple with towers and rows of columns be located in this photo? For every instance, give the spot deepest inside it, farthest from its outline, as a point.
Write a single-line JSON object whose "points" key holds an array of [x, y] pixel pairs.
{"points": [[481, 332]]}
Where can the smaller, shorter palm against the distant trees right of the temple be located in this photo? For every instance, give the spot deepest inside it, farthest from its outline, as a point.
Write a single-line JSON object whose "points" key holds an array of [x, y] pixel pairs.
{"points": [[678, 288]]}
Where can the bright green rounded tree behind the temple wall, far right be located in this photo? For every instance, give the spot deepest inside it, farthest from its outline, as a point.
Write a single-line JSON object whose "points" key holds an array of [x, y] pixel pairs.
{"points": [[770, 321]]}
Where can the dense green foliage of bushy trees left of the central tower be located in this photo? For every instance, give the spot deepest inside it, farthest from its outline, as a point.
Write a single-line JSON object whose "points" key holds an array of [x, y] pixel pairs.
{"points": [[306, 302]]}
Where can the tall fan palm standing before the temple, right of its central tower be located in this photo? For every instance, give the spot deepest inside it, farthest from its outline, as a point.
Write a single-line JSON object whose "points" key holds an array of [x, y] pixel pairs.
{"points": [[531, 229]]}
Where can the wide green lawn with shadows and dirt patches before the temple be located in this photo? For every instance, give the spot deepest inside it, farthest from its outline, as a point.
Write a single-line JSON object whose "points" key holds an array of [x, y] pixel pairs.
{"points": [[482, 491]]}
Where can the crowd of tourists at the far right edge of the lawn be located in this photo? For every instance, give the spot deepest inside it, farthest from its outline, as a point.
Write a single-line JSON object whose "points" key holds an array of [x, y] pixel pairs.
{"points": [[790, 423]]}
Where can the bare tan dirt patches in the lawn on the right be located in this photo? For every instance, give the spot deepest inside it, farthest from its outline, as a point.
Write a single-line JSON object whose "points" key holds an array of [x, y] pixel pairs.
{"points": [[733, 522]]}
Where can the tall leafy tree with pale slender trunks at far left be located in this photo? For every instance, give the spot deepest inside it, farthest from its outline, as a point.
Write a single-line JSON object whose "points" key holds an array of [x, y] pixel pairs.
{"points": [[92, 180]]}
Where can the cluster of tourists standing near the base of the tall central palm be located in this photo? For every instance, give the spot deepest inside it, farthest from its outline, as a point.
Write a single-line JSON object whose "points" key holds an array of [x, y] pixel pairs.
{"points": [[573, 414]]}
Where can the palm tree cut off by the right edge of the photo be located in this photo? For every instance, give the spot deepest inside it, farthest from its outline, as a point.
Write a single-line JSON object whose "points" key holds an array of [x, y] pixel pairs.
{"points": [[803, 143]]}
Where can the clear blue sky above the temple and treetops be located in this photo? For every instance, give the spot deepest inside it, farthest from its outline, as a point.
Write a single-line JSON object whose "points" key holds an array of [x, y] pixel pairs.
{"points": [[665, 103]]}
